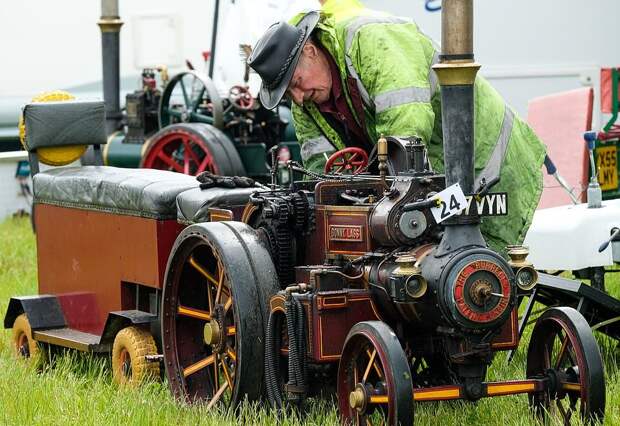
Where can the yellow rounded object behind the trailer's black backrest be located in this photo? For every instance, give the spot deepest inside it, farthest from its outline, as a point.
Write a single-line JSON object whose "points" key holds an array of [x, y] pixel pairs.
{"points": [[53, 156]]}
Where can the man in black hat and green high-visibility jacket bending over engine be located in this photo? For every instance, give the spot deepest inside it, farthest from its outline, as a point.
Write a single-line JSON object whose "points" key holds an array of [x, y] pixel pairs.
{"points": [[354, 74]]}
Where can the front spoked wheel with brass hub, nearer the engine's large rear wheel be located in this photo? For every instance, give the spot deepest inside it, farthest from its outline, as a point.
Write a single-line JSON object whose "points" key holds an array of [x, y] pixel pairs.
{"points": [[374, 381]]}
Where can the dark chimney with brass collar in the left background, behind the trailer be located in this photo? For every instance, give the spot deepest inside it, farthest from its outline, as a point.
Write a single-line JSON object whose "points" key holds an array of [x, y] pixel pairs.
{"points": [[110, 25]]}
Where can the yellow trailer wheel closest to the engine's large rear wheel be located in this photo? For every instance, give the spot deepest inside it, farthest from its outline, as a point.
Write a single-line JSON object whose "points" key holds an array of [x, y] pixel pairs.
{"points": [[129, 363]]}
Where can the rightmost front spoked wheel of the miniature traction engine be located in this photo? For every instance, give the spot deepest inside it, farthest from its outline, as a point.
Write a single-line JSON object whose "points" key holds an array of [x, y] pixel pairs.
{"points": [[563, 351]]}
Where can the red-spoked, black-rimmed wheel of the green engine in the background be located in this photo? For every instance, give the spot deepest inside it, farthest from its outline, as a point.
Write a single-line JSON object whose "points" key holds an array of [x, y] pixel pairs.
{"points": [[191, 149]]}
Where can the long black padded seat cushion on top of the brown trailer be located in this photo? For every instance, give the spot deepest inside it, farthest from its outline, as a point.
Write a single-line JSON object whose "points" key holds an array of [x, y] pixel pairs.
{"points": [[136, 192]]}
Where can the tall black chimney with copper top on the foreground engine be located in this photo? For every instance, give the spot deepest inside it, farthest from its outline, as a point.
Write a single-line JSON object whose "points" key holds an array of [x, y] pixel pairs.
{"points": [[456, 73]]}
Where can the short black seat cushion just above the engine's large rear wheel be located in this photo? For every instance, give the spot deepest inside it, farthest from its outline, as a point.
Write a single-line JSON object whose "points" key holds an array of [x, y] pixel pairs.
{"points": [[193, 205]]}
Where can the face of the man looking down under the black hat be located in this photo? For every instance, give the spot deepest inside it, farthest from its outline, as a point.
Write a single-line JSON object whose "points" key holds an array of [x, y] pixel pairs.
{"points": [[312, 80]]}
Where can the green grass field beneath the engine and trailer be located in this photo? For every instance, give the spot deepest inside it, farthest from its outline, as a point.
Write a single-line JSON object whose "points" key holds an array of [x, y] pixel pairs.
{"points": [[77, 388]]}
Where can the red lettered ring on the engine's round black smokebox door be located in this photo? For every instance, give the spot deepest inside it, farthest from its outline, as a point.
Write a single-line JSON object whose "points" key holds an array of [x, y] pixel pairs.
{"points": [[459, 288]]}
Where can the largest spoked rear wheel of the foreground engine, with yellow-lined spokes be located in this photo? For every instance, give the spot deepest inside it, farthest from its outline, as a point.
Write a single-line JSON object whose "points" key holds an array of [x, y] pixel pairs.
{"points": [[218, 283]]}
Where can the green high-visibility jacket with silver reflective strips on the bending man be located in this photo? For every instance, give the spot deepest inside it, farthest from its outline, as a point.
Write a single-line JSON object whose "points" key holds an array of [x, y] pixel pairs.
{"points": [[391, 61]]}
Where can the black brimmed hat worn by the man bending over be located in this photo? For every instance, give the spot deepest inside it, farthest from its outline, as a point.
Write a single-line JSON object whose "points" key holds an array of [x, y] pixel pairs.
{"points": [[276, 55]]}
